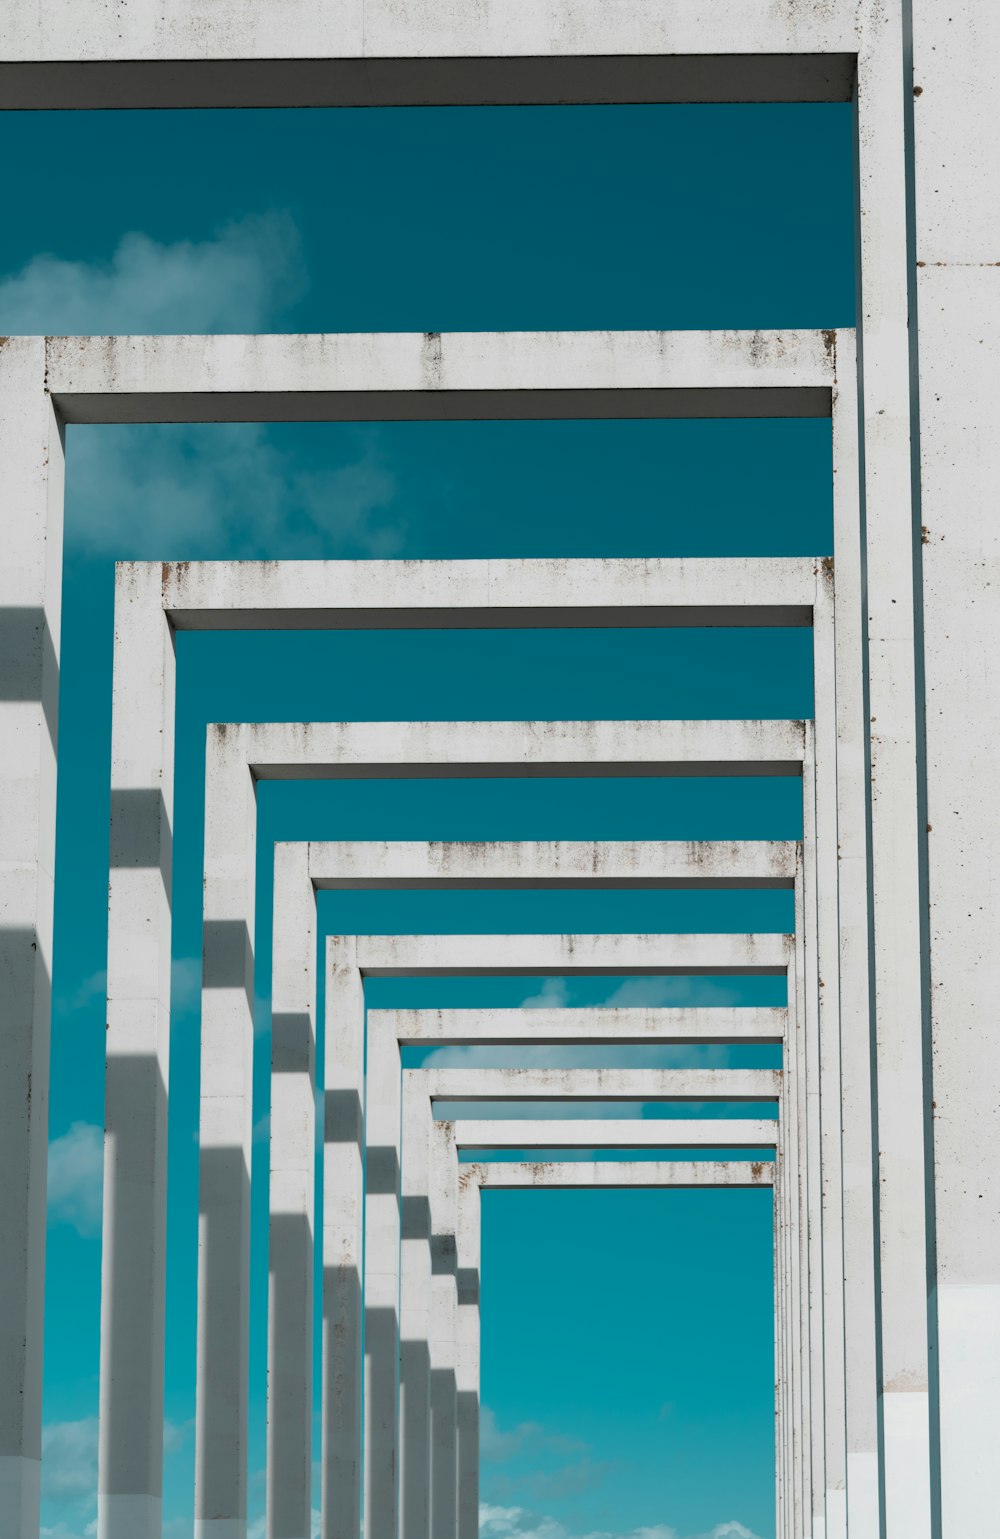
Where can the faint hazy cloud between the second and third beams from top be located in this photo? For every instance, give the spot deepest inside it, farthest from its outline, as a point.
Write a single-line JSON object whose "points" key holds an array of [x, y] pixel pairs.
{"points": [[181, 492]]}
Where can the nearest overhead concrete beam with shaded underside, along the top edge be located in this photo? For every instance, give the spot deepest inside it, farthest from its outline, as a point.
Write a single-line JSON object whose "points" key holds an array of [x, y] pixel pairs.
{"points": [[408, 53]]}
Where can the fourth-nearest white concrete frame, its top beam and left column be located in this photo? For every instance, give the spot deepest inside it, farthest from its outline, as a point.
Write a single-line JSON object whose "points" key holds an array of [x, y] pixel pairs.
{"points": [[238, 758]]}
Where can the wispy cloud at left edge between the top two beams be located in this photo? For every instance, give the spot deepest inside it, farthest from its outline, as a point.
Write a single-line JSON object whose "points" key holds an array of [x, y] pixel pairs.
{"points": [[236, 281]]}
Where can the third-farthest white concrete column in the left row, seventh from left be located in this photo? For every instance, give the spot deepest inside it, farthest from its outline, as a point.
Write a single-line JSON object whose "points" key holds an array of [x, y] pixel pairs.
{"points": [[416, 1324]]}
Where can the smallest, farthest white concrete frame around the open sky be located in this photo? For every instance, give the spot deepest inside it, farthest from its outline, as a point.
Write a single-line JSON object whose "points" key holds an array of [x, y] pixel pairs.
{"points": [[545, 1177]]}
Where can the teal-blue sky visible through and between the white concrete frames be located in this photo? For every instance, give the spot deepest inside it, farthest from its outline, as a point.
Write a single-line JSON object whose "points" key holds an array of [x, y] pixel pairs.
{"points": [[628, 1378]]}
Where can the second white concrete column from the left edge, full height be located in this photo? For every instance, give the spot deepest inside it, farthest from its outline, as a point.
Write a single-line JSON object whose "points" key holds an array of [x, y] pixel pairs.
{"points": [[138, 1063]]}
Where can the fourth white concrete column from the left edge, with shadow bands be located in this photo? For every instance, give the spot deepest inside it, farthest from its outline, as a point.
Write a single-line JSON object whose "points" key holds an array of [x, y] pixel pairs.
{"points": [[293, 1187]]}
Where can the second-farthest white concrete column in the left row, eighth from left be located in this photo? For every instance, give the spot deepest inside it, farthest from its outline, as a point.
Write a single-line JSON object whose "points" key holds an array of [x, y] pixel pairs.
{"points": [[444, 1189]]}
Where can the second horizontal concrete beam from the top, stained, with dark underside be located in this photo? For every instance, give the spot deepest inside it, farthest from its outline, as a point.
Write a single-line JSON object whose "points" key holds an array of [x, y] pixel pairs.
{"points": [[384, 376]]}
